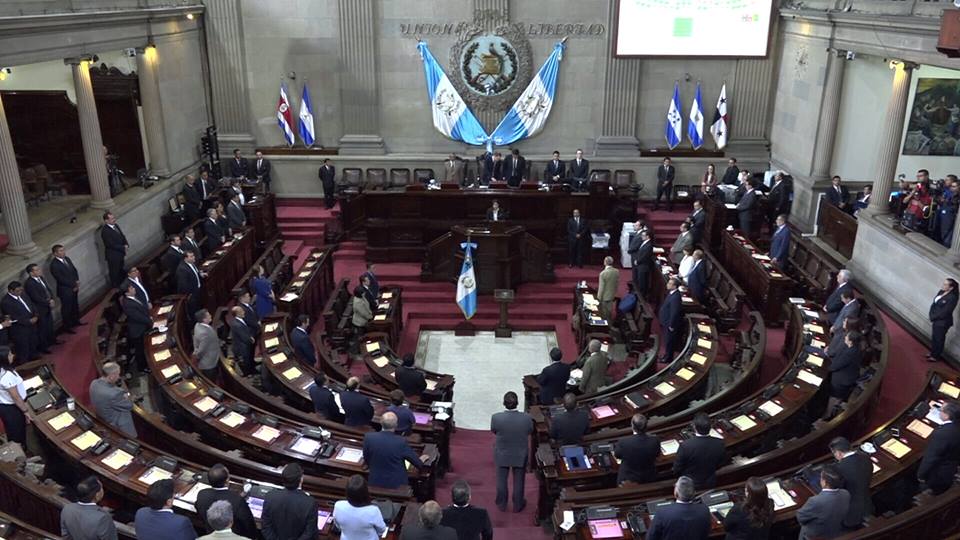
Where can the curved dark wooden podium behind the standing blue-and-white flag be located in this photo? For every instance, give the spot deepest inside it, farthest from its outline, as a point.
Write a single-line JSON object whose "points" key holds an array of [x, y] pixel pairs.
{"points": [[505, 257]]}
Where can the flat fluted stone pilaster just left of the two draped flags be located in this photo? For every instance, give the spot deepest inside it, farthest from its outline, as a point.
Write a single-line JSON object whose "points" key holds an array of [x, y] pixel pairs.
{"points": [[360, 80]]}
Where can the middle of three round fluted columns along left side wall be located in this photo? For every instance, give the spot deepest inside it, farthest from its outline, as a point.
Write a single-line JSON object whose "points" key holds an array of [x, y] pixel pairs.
{"points": [[90, 135]]}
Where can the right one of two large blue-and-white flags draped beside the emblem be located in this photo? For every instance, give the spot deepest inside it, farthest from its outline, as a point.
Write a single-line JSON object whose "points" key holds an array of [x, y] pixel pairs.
{"points": [[529, 114]]}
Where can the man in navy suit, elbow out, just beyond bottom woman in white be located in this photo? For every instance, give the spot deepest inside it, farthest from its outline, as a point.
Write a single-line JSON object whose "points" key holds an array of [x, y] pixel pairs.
{"points": [[386, 455]]}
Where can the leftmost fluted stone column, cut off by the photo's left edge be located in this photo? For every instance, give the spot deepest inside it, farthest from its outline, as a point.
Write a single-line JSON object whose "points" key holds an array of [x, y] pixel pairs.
{"points": [[12, 204]]}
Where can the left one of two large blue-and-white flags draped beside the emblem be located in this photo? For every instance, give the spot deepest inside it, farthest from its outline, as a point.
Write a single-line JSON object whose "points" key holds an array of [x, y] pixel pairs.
{"points": [[450, 114]]}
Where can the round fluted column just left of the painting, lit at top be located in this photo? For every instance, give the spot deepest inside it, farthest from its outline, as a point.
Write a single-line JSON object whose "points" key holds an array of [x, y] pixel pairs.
{"points": [[888, 151]]}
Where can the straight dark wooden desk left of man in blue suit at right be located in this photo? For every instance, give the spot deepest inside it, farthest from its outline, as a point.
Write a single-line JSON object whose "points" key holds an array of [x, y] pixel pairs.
{"points": [[767, 288]]}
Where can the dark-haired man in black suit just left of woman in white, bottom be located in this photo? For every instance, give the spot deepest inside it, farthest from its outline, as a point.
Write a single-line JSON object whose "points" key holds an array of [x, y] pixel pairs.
{"points": [[289, 513]]}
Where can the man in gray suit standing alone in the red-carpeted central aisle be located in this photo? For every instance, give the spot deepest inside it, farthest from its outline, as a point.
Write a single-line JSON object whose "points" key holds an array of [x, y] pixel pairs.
{"points": [[513, 429]]}
